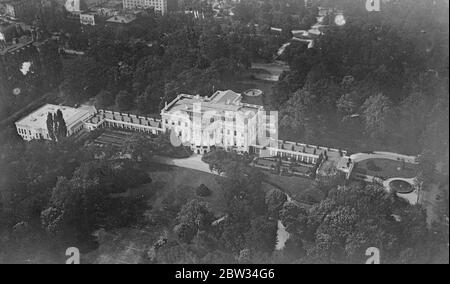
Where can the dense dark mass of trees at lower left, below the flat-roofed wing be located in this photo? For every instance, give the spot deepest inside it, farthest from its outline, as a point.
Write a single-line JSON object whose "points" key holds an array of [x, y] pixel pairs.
{"points": [[54, 195]]}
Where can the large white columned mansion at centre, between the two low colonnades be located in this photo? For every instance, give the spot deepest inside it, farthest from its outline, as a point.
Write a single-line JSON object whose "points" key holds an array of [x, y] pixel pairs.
{"points": [[221, 120]]}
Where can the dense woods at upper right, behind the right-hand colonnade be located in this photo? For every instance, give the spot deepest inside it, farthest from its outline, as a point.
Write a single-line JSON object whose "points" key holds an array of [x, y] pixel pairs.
{"points": [[378, 82]]}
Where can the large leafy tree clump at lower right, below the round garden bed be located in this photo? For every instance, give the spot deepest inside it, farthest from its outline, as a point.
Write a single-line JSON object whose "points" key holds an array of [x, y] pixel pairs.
{"points": [[354, 218]]}
